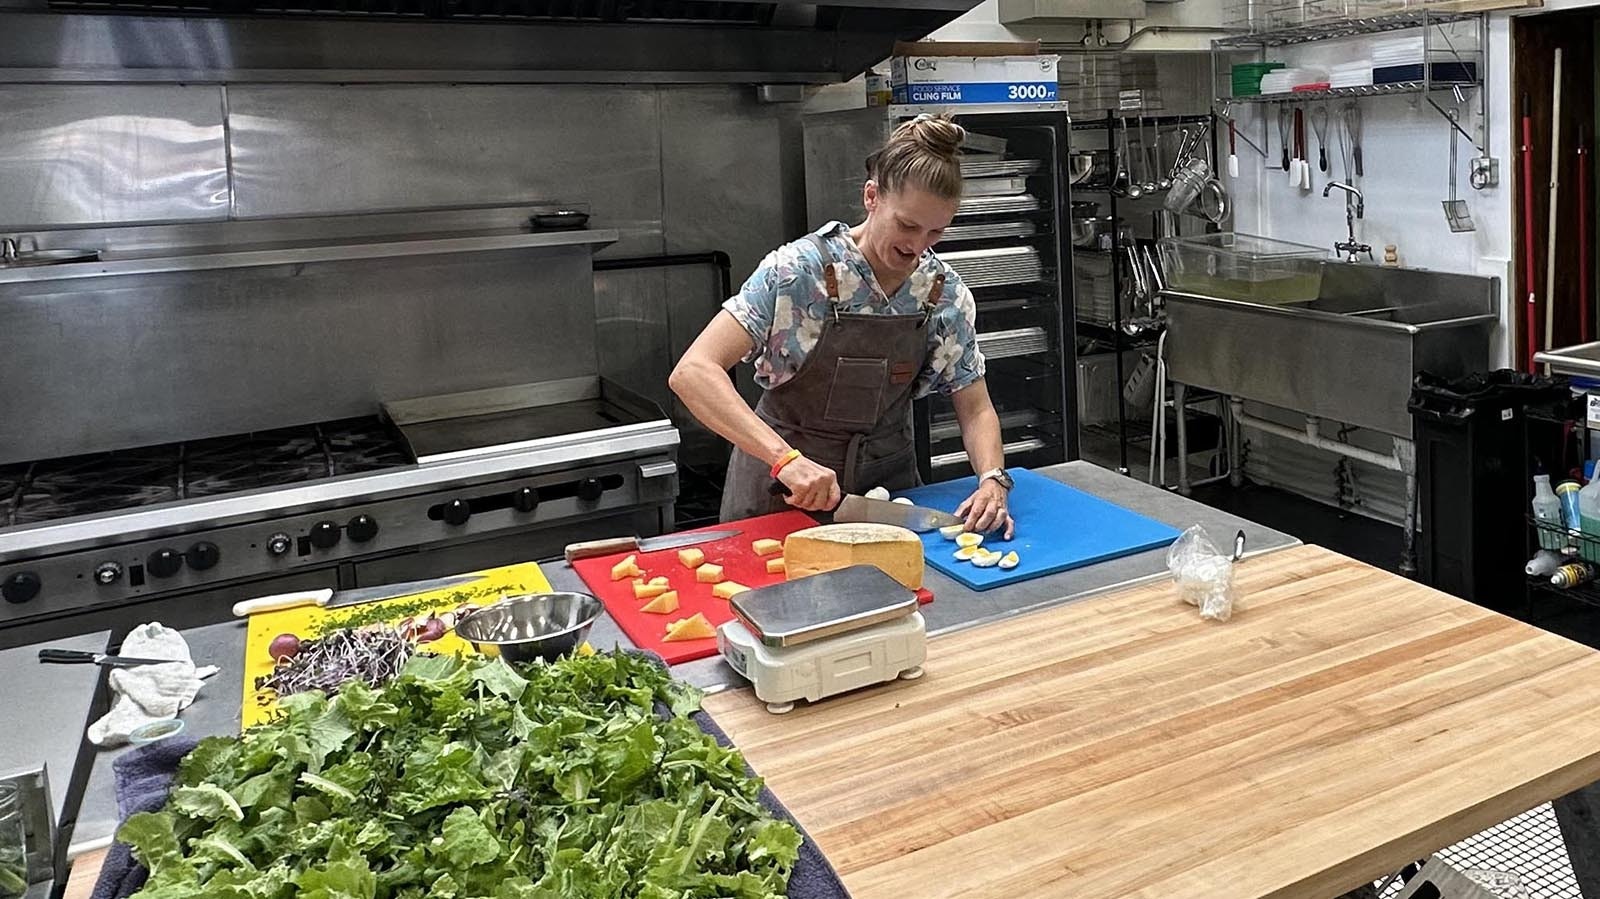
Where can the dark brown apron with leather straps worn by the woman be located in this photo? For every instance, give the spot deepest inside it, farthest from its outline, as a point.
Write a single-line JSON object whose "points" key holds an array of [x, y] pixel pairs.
{"points": [[847, 409]]}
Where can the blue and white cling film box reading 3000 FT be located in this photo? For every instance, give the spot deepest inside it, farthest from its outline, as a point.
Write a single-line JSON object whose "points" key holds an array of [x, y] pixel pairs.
{"points": [[969, 73]]}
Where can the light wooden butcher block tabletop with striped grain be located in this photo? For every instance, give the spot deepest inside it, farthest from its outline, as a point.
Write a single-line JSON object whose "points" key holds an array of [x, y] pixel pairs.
{"points": [[1343, 724]]}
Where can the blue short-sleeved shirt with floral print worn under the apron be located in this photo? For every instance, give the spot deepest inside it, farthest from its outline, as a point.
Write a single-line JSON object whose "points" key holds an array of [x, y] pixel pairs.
{"points": [[785, 303]]}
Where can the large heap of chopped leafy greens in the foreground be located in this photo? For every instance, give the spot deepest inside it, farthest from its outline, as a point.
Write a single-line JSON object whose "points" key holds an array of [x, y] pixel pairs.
{"points": [[471, 780]]}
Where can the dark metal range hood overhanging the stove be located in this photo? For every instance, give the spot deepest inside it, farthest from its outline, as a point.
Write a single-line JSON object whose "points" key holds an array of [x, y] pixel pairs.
{"points": [[460, 41]]}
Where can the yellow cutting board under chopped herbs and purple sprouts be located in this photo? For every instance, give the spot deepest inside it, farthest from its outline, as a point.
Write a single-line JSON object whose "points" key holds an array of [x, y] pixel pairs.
{"points": [[313, 621]]}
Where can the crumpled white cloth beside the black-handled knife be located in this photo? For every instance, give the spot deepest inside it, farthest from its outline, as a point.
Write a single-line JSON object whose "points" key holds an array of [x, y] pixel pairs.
{"points": [[150, 693]]}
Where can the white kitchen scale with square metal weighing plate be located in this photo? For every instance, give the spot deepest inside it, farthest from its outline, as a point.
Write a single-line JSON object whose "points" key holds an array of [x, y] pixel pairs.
{"points": [[823, 636]]}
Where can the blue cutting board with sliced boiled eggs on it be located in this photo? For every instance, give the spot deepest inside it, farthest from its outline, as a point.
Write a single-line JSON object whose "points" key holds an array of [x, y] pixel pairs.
{"points": [[1058, 529]]}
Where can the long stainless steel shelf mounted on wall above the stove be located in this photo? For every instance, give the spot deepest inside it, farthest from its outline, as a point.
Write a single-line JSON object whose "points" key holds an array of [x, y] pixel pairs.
{"points": [[300, 254]]}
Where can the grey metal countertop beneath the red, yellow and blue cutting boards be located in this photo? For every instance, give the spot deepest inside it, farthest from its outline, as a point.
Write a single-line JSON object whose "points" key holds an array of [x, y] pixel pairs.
{"points": [[954, 609]]}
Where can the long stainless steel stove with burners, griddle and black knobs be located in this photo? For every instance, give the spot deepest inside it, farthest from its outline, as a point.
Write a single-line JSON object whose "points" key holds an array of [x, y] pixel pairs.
{"points": [[180, 532]]}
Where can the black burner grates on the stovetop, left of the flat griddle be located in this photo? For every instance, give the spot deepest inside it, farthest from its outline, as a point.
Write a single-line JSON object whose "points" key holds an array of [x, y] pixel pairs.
{"points": [[86, 485]]}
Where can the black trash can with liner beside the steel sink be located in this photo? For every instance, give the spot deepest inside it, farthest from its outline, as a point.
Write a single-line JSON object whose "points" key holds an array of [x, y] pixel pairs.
{"points": [[1476, 482]]}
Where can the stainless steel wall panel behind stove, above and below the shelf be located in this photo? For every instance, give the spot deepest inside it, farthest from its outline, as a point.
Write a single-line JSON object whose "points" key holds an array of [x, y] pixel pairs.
{"points": [[118, 362]]}
